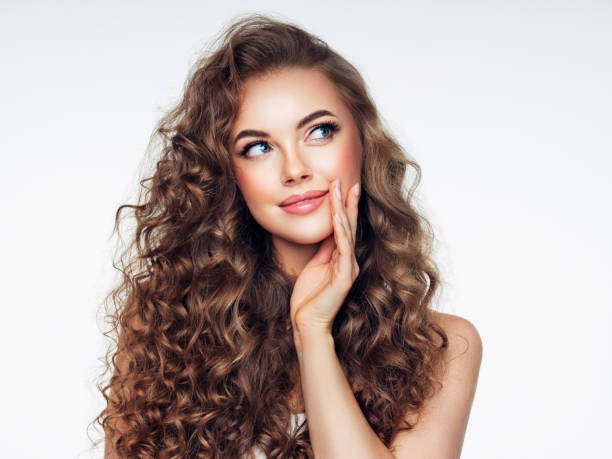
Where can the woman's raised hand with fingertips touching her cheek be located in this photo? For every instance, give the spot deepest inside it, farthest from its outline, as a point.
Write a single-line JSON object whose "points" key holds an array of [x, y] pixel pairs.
{"points": [[323, 284]]}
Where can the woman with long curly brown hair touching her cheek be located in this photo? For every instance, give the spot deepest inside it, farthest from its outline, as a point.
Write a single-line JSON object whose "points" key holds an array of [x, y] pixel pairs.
{"points": [[279, 299]]}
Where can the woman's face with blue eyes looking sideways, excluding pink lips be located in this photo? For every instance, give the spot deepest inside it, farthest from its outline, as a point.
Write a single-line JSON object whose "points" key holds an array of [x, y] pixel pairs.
{"points": [[307, 139]]}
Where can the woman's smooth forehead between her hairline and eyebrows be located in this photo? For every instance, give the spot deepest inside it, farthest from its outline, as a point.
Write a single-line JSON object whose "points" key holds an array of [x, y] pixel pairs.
{"points": [[284, 96]]}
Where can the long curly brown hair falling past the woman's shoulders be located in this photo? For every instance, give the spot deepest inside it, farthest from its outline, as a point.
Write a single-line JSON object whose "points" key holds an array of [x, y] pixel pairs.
{"points": [[202, 354]]}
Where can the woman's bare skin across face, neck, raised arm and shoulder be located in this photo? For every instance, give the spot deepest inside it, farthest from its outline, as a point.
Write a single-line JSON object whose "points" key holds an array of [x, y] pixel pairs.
{"points": [[319, 249]]}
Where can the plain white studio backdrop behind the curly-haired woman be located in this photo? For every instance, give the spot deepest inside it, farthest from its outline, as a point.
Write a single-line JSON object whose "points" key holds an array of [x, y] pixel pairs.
{"points": [[505, 105]]}
